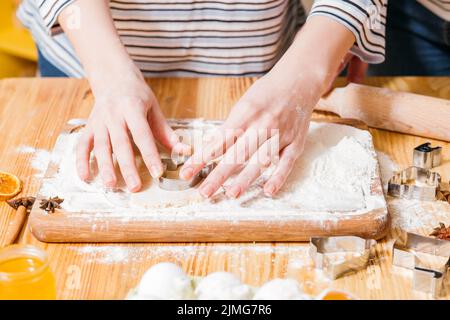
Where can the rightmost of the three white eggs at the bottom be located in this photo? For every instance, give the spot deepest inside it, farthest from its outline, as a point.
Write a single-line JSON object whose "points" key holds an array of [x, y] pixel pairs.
{"points": [[280, 289]]}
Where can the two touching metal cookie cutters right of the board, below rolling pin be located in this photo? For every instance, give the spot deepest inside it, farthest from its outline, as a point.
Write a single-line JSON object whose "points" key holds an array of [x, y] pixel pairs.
{"points": [[418, 182]]}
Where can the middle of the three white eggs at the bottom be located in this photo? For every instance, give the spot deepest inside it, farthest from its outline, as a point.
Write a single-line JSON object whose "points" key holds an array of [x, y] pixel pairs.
{"points": [[222, 286]]}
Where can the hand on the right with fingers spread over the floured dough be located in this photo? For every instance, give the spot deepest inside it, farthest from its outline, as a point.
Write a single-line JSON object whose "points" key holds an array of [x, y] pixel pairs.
{"points": [[266, 123]]}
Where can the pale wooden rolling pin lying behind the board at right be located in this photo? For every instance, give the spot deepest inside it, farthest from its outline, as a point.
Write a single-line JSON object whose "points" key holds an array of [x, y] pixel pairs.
{"points": [[391, 110]]}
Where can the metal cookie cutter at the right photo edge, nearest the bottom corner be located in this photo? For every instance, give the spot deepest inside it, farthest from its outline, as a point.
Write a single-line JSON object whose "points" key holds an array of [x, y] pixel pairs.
{"points": [[426, 279]]}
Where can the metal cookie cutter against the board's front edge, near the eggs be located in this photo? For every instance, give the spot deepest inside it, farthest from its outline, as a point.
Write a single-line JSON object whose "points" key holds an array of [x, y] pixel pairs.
{"points": [[322, 247]]}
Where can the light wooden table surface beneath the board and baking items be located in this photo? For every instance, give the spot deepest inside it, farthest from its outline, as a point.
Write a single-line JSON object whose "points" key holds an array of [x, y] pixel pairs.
{"points": [[32, 114]]}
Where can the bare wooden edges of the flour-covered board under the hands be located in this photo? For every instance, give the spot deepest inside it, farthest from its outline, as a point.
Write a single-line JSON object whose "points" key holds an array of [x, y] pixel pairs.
{"points": [[77, 227]]}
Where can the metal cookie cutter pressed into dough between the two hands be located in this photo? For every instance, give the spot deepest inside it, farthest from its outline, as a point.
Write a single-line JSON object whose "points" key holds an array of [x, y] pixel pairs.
{"points": [[170, 179]]}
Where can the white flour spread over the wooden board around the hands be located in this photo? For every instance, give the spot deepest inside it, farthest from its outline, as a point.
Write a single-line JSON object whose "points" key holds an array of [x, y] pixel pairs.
{"points": [[334, 174]]}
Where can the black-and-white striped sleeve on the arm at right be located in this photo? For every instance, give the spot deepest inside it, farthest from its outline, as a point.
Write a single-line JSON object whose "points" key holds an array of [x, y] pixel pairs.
{"points": [[366, 19]]}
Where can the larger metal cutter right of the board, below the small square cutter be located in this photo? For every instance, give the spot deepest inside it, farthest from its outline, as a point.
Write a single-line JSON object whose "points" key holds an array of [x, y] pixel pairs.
{"points": [[414, 183]]}
